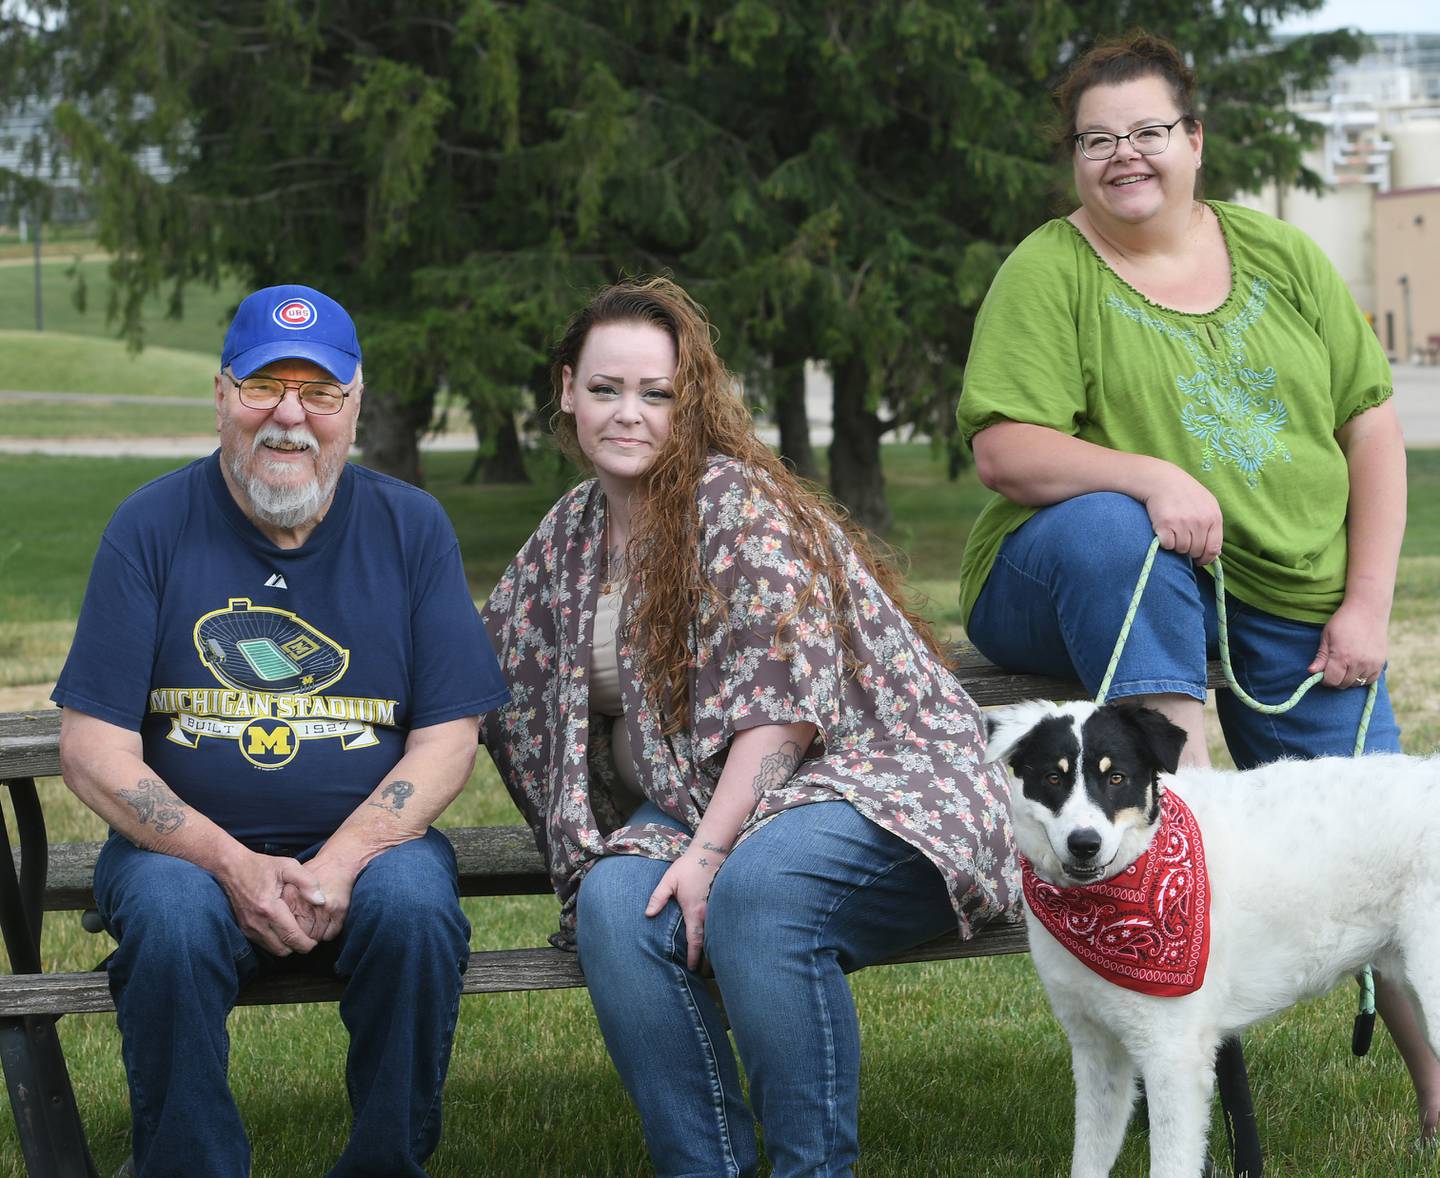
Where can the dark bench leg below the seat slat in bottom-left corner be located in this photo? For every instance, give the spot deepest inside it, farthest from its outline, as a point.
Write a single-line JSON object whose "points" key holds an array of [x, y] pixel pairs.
{"points": [[53, 1140]]}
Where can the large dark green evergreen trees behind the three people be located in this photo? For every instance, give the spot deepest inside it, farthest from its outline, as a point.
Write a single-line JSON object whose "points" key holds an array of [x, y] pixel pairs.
{"points": [[834, 179]]}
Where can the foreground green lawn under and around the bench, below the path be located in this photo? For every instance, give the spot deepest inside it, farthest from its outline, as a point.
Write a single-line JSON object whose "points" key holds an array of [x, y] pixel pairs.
{"points": [[966, 1072]]}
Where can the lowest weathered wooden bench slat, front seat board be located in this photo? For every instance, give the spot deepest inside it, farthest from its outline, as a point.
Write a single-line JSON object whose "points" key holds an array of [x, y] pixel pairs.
{"points": [[490, 973]]}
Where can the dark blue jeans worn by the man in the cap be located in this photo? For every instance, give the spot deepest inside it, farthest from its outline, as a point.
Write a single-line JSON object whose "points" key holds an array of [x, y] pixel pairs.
{"points": [[182, 961]]}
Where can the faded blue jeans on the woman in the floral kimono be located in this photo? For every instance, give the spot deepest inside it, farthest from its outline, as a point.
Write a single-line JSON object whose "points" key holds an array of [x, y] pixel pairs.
{"points": [[814, 894]]}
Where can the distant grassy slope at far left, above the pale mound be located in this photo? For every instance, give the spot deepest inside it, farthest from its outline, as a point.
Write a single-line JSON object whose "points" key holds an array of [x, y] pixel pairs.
{"points": [[205, 312]]}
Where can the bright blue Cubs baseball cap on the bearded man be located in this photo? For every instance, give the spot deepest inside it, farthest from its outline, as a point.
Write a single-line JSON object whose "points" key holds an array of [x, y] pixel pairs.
{"points": [[292, 323]]}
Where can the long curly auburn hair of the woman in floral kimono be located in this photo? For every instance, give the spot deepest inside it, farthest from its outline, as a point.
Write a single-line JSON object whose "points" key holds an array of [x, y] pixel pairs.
{"points": [[708, 418]]}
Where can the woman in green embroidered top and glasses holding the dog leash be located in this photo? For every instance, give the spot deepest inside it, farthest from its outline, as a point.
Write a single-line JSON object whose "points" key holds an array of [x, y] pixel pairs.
{"points": [[1154, 365]]}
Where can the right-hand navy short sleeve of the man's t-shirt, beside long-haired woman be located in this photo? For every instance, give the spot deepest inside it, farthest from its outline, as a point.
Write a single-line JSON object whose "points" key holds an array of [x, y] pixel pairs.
{"points": [[456, 672]]}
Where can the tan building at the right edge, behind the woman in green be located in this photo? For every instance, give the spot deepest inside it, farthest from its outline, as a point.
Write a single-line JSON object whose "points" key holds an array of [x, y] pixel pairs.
{"points": [[1408, 273]]}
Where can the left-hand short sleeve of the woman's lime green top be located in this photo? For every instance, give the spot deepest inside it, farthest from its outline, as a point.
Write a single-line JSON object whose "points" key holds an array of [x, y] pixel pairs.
{"points": [[1025, 362]]}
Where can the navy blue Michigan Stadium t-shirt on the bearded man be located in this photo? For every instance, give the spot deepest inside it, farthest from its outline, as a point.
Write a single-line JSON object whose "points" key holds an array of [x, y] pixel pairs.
{"points": [[274, 688]]}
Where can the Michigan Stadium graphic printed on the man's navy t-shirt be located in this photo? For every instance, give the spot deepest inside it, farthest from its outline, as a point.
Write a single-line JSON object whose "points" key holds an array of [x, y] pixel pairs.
{"points": [[274, 670]]}
